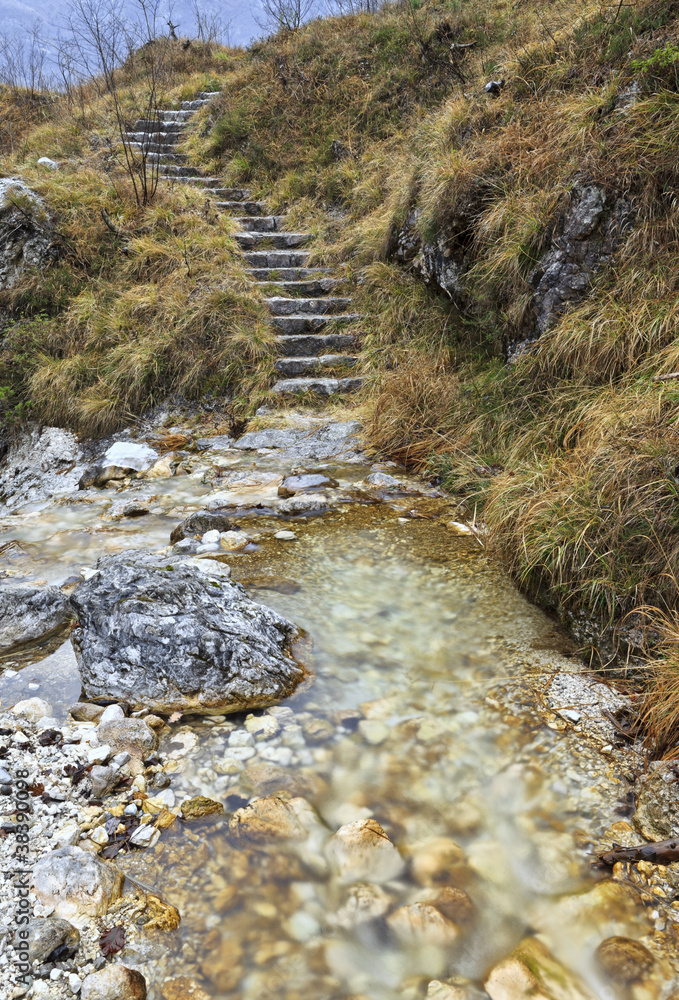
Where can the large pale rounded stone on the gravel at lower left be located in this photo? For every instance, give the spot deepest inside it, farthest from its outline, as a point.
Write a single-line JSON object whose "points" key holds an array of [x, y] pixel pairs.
{"points": [[71, 883]]}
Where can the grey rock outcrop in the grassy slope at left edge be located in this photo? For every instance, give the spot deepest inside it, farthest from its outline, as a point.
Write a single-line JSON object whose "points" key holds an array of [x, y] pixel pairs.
{"points": [[26, 237]]}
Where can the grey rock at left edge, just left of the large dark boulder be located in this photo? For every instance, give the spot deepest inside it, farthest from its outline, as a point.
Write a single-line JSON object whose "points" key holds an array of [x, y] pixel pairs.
{"points": [[30, 613]]}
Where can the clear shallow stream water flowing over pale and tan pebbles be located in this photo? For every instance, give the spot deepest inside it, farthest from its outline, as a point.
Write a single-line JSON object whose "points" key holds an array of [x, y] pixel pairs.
{"points": [[421, 714]]}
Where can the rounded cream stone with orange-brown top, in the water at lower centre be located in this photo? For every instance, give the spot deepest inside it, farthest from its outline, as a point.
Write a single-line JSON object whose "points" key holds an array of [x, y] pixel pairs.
{"points": [[362, 852]]}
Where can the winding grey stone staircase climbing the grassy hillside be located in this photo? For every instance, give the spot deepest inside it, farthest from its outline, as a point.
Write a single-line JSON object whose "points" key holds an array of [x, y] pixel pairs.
{"points": [[314, 332]]}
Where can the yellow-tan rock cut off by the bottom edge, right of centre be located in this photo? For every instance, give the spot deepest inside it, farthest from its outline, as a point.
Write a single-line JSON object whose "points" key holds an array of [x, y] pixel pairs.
{"points": [[532, 973]]}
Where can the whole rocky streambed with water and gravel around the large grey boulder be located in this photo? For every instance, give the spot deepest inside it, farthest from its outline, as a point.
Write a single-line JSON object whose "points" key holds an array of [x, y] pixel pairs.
{"points": [[445, 717]]}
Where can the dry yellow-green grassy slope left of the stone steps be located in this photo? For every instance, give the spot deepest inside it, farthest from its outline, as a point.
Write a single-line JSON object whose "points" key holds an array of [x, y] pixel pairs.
{"points": [[120, 322]]}
